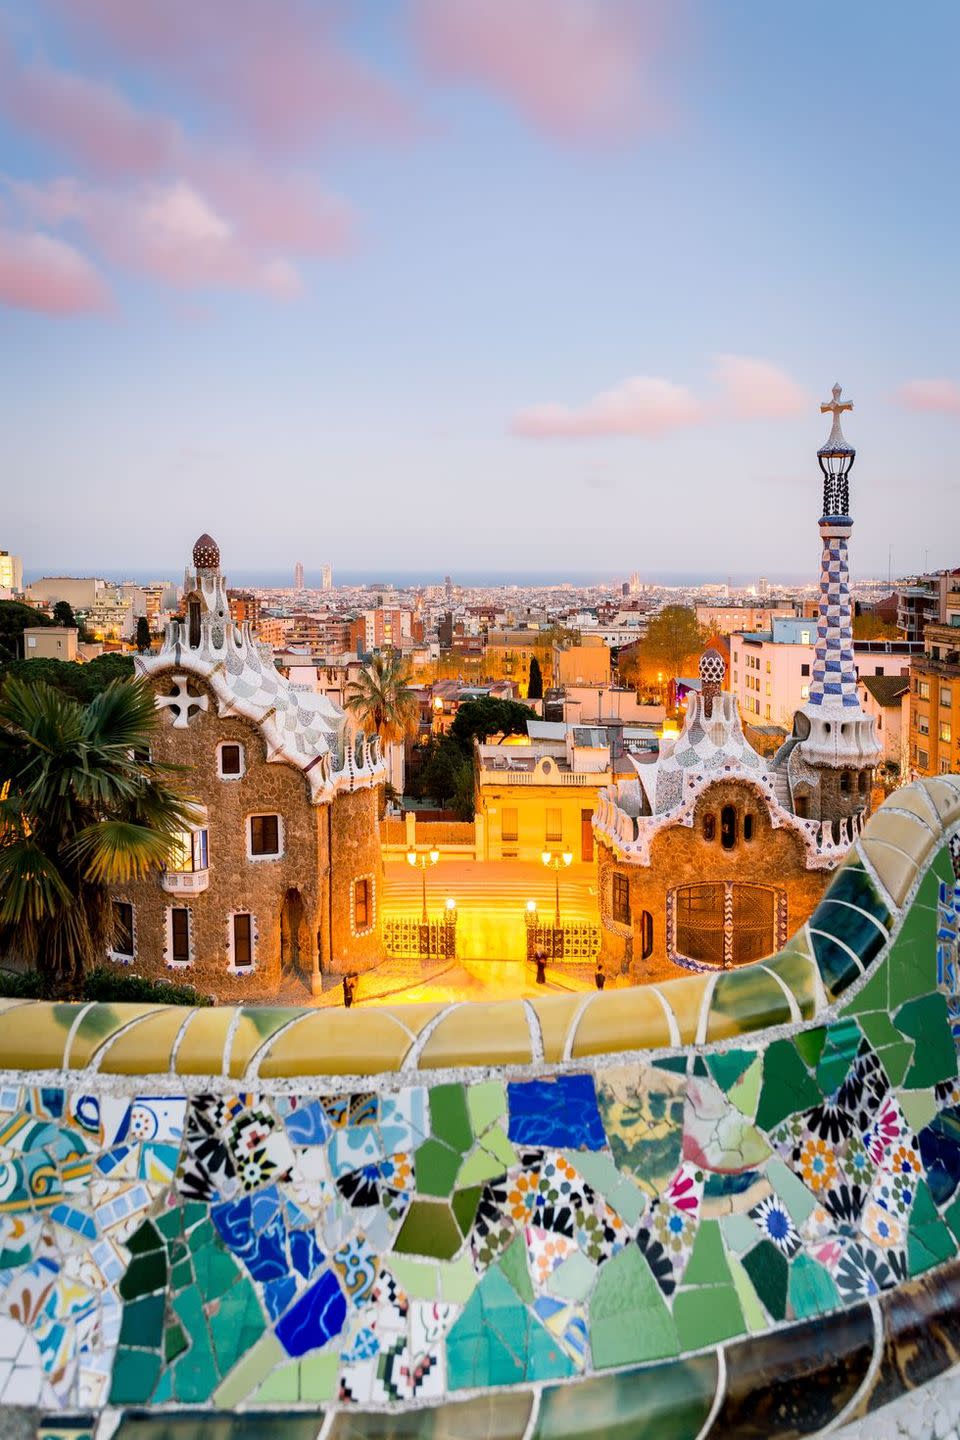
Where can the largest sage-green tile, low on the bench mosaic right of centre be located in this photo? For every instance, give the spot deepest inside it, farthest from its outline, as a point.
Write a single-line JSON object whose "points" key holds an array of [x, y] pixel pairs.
{"points": [[630, 1320]]}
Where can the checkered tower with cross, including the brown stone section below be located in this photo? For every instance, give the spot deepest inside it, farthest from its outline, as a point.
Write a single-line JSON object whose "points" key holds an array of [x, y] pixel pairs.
{"points": [[831, 767]]}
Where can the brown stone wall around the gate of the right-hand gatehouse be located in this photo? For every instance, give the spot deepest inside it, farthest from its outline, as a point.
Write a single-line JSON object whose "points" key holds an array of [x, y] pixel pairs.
{"points": [[683, 856]]}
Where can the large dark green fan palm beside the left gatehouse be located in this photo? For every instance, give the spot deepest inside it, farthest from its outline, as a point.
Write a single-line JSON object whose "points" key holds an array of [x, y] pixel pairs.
{"points": [[81, 809]]}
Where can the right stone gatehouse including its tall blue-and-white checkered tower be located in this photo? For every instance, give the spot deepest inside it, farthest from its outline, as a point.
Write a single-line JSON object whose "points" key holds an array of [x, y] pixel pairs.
{"points": [[713, 855]]}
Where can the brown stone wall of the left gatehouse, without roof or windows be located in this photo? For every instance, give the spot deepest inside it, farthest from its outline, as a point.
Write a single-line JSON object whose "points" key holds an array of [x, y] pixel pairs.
{"points": [[289, 938]]}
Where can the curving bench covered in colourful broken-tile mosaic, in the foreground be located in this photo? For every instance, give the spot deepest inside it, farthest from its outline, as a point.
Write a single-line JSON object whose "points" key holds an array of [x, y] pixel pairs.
{"points": [[722, 1206]]}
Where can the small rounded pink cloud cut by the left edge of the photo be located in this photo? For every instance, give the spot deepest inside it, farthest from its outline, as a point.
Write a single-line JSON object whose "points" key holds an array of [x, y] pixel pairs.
{"points": [[42, 273]]}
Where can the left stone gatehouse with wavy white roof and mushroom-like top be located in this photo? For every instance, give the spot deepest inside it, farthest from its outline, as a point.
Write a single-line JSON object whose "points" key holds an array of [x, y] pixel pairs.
{"points": [[281, 875]]}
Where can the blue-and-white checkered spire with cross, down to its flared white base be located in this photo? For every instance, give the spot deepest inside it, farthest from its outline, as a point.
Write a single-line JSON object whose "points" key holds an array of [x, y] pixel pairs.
{"points": [[841, 735]]}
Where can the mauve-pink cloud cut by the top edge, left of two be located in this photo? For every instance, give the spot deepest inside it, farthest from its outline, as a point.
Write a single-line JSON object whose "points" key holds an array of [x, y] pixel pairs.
{"points": [[274, 67]]}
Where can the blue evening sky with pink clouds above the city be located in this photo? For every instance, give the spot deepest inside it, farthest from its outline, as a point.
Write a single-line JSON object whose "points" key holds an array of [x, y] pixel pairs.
{"points": [[480, 286]]}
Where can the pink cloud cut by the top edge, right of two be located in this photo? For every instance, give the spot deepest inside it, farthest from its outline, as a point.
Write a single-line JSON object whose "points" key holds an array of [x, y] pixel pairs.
{"points": [[574, 68]]}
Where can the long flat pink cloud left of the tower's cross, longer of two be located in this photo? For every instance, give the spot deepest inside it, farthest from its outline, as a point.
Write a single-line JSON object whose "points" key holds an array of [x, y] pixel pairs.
{"points": [[643, 405]]}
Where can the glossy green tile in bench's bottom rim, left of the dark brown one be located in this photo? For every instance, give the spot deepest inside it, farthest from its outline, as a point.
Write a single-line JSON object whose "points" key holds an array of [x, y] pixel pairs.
{"points": [[670, 1402]]}
